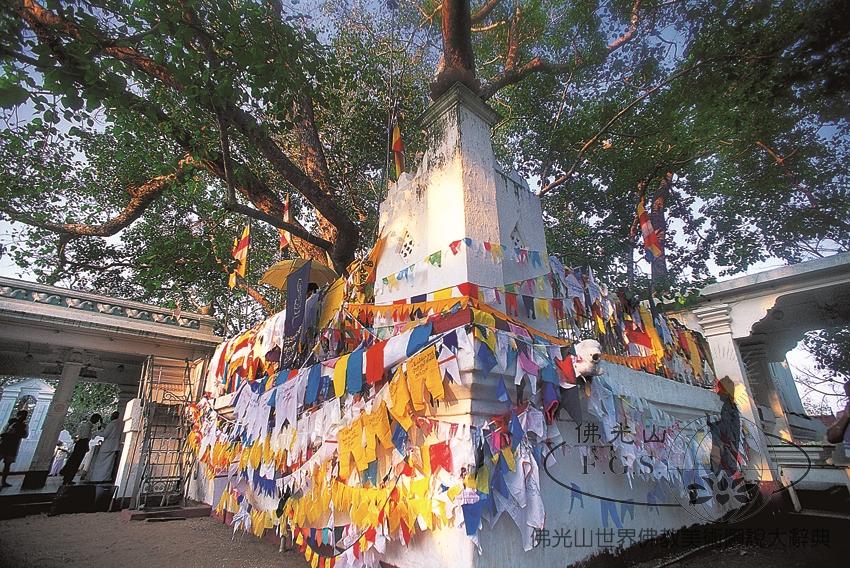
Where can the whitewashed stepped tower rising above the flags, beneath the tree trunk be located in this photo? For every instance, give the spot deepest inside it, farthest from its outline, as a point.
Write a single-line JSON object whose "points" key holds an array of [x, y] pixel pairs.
{"points": [[459, 192]]}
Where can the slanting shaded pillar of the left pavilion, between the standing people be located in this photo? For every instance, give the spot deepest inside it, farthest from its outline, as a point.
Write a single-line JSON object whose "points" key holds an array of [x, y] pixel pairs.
{"points": [[42, 459]]}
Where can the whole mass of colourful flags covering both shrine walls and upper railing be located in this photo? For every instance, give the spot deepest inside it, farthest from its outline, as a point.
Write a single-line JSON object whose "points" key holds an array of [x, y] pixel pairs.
{"points": [[356, 431]]}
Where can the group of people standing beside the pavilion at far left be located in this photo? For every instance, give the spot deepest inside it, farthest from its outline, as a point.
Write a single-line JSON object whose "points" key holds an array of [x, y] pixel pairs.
{"points": [[104, 455]]}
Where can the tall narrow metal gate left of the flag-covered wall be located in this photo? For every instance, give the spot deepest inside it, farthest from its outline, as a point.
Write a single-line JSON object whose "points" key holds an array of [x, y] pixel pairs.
{"points": [[165, 391]]}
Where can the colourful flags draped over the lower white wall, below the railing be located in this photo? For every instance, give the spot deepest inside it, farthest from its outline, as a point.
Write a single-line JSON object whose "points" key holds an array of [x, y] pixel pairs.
{"points": [[359, 435]]}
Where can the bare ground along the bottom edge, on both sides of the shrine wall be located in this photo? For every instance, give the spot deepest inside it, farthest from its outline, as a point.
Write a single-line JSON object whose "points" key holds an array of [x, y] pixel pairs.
{"points": [[104, 540]]}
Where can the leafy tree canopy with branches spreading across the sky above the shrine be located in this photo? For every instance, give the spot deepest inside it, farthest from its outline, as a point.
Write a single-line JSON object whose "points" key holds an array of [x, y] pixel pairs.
{"points": [[139, 137]]}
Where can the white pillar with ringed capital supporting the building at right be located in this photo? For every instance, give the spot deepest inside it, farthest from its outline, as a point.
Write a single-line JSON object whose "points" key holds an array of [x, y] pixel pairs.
{"points": [[716, 323]]}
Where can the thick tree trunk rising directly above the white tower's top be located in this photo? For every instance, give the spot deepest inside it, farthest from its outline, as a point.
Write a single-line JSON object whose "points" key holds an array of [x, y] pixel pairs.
{"points": [[458, 61]]}
